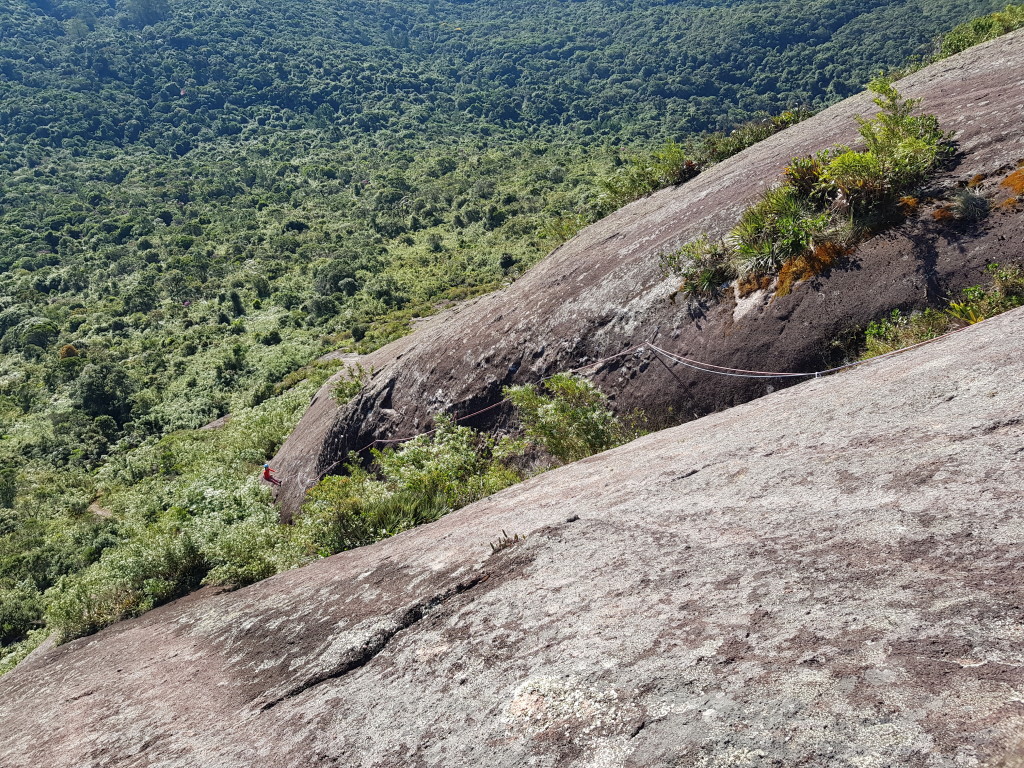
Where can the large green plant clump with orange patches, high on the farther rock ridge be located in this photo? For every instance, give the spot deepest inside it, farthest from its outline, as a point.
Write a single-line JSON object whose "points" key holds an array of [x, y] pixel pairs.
{"points": [[828, 202]]}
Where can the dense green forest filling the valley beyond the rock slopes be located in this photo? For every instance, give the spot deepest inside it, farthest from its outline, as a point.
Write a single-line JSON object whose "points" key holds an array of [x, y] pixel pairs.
{"points": [[198, 199]]}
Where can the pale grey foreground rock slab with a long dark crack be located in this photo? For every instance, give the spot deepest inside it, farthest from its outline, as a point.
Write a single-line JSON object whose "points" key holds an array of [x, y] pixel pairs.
{"points": [[830, 576]]}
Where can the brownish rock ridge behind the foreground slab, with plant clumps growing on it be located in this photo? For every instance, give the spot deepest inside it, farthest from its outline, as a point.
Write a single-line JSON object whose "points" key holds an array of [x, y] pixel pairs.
{"points": [[604, 292]]}
